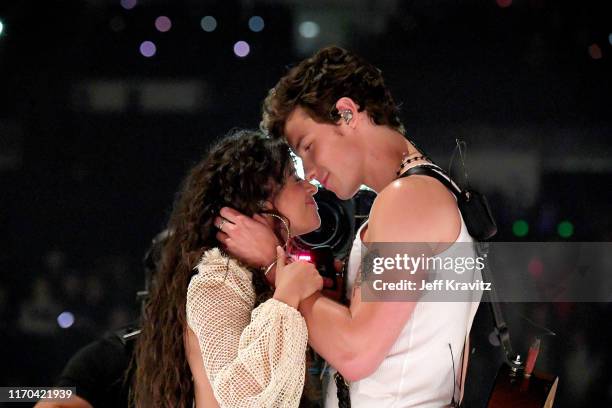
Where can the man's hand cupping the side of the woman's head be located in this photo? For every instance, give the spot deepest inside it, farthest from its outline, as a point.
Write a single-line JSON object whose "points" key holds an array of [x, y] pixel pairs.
{"points": [[248, 239]]}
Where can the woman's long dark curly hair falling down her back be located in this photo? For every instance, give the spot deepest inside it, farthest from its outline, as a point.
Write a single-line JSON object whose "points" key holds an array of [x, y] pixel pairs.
{"points": [[240, 171]]}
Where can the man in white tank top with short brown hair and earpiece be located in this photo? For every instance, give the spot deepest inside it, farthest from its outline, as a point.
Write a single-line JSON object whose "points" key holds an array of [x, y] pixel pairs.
{"points": [[337, 115]]}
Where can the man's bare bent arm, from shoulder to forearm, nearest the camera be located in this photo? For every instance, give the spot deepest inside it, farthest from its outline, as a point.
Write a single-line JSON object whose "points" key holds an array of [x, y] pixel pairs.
{"points": [[356, 340]]}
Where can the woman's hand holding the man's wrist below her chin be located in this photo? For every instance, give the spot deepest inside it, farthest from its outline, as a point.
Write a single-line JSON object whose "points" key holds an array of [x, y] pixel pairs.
{"points": [[296, 281]]}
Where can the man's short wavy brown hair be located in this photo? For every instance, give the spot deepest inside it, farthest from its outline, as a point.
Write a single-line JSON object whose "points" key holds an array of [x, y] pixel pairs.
{"points": [[318, 82]]}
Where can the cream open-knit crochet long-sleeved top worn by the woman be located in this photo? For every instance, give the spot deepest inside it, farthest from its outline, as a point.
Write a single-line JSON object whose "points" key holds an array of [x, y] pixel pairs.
{"points": [[253, 358]]}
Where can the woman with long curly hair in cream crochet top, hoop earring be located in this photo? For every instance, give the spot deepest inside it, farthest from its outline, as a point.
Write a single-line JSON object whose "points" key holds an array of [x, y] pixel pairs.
{"points": [[234, 328]]}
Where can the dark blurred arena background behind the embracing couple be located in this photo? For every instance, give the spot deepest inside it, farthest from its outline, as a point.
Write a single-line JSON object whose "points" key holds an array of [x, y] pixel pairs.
{"points": [[94, 139]]}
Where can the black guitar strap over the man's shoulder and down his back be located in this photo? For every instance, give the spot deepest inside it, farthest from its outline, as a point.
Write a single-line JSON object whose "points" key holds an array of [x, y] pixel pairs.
{"points": [[482, 249]]}
